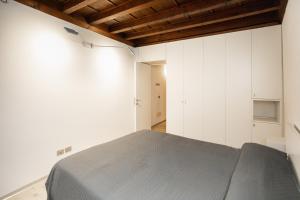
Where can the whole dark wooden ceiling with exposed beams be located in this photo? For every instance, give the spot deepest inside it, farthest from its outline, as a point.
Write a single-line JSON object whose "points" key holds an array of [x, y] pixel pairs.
{"points": [[144, 22]]}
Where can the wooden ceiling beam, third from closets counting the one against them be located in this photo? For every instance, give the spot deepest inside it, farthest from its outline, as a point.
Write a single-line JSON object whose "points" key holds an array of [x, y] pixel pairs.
{"points": [[192, 7]]}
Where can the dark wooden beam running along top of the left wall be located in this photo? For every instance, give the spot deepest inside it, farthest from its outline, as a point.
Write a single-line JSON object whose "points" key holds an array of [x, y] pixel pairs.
{"points": [[36, 4]]}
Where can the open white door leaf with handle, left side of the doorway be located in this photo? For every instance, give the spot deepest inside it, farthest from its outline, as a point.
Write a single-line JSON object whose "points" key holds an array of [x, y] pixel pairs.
{"points": [[143, 96]]}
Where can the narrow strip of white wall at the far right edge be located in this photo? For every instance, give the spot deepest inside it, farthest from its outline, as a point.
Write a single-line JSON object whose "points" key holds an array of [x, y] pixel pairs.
{"points": [[291, 65]]}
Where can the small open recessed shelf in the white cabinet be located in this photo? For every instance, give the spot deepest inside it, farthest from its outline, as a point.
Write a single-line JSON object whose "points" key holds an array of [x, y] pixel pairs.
{"points": [[266, 111]]}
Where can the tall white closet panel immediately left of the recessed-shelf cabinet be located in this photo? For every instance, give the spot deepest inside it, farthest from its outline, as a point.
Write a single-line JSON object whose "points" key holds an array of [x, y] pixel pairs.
{"points": [[239, 103]]}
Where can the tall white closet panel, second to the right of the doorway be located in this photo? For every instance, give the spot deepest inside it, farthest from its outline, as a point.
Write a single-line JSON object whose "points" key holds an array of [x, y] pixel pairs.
{"points": [[193, 66]]}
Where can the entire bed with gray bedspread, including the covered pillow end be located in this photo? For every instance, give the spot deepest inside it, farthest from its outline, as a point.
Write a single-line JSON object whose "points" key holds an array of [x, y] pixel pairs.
{"points": [[152, 166]]}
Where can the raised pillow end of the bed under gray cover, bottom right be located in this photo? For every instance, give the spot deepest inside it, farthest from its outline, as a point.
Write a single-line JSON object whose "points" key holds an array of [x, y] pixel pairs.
{"points": [[263, 173]]}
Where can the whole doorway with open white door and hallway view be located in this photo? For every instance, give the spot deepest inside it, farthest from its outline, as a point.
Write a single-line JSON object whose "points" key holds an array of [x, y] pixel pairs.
{"points": [[151, 96]]}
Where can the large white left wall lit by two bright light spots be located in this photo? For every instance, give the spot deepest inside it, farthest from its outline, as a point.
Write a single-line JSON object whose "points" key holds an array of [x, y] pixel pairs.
{"points": [[55, 93]]}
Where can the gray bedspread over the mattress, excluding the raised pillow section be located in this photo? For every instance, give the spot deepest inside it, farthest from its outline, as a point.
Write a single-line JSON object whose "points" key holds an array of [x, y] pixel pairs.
{"points": [[145, 166]]}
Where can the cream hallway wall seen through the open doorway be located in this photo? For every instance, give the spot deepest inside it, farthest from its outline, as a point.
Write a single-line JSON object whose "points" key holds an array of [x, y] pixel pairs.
{"points": [[158, 105]]}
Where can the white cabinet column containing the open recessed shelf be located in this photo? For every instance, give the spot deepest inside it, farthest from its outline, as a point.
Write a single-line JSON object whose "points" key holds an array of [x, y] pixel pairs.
{"points": [[267, 83]]}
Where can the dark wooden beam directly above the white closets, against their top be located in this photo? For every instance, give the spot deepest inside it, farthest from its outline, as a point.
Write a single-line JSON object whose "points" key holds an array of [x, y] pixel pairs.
{"points": [[257, 21]]}
